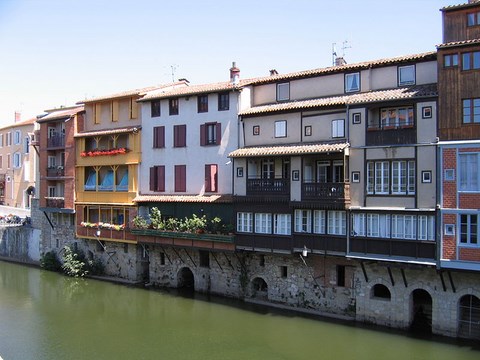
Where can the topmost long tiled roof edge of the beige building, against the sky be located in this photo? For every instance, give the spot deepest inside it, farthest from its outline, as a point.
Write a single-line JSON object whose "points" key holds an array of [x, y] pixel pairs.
{"points": [[427, 56]]}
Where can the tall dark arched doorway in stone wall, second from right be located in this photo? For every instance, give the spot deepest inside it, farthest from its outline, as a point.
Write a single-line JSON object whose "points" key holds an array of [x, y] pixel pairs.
{"points": [[421, 312]]}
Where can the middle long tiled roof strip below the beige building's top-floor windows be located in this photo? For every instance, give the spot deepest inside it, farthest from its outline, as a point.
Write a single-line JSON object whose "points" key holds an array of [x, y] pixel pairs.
{"points": [[408, 92]]}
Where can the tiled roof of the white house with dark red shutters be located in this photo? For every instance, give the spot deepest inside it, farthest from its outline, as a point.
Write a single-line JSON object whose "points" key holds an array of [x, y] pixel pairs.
{"points": [[191, 90]]}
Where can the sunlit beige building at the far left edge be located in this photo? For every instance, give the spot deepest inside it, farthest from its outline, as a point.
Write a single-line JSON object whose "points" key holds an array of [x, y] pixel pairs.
{"points": [[17, 164]]}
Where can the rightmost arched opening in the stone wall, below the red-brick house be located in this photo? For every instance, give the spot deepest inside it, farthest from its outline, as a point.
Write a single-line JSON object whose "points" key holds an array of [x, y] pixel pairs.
{"points": [[469, 317]]}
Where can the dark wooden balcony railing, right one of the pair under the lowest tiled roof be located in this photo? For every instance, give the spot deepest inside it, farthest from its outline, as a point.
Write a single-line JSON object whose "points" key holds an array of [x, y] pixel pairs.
{"points": [[328, 193]]}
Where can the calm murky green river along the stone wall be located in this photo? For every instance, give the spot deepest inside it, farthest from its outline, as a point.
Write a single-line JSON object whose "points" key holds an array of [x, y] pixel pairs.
{"points": [[44, 315]]}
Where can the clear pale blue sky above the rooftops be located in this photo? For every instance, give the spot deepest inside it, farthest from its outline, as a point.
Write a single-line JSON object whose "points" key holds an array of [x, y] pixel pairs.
{"points": [[58, 52]]}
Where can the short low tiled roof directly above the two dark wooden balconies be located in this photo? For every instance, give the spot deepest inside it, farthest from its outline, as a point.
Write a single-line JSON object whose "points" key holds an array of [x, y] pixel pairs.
{"points": [[290, 149]]}
